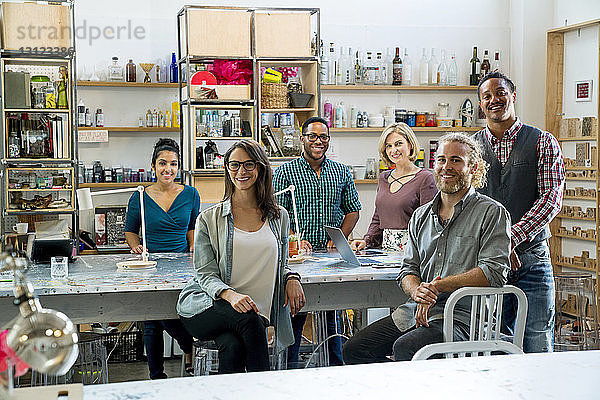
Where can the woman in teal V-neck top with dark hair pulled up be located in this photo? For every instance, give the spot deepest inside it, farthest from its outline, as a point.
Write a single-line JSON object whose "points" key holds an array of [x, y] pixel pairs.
{"points": [[170, 212]]}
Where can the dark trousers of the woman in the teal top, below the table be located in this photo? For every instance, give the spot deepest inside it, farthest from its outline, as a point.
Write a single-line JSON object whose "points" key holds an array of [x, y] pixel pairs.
{"points": [[153, 340]]}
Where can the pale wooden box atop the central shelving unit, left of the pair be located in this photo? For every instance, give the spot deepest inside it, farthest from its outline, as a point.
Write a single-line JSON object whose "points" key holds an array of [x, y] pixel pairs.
{"points": [[219, 33]]}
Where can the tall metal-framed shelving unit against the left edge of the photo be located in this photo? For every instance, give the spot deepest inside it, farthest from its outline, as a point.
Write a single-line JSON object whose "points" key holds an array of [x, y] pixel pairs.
{"points": [[40, 57]]}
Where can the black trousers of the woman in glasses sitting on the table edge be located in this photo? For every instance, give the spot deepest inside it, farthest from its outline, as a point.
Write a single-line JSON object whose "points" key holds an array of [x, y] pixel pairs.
{"points": [[241, 338]]}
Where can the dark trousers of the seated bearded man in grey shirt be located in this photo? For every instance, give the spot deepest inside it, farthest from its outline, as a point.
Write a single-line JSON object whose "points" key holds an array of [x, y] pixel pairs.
{"points": [[382, 338]]}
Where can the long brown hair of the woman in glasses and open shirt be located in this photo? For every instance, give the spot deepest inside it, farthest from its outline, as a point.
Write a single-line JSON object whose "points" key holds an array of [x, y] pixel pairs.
{"points": [[263, 186]]}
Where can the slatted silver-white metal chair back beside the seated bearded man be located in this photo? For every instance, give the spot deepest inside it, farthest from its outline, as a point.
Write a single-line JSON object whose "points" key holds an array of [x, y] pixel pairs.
{"points": [[486, 313]]}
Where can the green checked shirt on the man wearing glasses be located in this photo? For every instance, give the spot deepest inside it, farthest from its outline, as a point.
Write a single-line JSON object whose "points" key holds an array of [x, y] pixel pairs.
{"points": [[321, 200]]}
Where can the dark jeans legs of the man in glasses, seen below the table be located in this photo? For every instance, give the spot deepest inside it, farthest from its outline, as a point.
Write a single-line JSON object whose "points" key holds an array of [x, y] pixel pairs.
{"points": [[334, 344]]}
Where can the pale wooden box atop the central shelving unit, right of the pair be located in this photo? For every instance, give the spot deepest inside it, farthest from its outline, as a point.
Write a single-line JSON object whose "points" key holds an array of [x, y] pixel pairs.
{"points": [[282, 34]]}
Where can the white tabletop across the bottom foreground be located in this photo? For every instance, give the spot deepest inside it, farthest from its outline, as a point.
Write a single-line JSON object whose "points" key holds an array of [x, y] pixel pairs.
{"points": [[531, 376]]}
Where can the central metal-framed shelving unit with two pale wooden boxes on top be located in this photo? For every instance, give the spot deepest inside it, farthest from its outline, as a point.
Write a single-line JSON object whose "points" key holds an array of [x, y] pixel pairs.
{"points": [[240, 44]]}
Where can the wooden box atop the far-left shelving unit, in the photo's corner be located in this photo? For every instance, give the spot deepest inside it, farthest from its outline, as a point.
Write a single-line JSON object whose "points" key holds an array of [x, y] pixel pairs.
{"points": [[51, 26]]}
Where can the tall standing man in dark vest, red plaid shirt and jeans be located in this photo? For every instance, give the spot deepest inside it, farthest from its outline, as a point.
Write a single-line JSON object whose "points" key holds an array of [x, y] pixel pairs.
{"points": [[526, 175]]}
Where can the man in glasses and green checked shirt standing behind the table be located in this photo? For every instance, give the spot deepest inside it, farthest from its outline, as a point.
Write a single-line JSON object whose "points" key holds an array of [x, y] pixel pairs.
{"points": [[325, 195]]}
